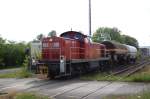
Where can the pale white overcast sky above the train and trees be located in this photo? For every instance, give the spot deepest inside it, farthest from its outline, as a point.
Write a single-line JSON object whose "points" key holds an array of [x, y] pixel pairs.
{"points": [[23, 20]]}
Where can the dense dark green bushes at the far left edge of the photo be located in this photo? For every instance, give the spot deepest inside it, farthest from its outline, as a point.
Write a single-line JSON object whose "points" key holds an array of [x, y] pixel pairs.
{"points": [[11, 53]]}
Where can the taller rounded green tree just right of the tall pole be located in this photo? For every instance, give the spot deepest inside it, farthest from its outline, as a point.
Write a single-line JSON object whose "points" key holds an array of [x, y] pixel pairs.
{"points": [[106, 33]]}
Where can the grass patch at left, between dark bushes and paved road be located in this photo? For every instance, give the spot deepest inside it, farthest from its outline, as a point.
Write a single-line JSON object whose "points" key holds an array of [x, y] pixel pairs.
{"points": [[23, 73]]}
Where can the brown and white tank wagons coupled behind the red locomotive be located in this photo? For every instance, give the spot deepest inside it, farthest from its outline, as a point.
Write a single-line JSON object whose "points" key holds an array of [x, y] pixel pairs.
{"points": [[120, 53]]}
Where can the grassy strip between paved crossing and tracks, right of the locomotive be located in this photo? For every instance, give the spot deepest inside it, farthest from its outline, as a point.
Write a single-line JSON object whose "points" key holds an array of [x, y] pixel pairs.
{"points": [[141, 76]]}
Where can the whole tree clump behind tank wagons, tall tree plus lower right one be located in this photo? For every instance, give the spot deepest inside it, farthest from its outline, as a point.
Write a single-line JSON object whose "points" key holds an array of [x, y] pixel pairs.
{"points": [[105, 33]]}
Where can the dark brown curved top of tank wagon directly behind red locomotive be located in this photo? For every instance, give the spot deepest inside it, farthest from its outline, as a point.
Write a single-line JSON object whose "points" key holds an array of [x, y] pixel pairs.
{"points": [[114, 45]]}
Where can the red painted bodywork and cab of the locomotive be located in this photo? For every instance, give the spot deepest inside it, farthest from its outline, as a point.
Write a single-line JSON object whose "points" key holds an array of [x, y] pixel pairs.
{"points": [[55, 47]]}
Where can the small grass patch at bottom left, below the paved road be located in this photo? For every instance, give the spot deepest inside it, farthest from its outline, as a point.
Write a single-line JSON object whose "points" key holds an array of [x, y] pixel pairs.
{"points": [[29, 96]]}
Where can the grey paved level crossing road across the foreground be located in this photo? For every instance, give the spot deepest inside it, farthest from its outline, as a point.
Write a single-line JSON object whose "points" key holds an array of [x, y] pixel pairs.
{"points": [[73, 88]]}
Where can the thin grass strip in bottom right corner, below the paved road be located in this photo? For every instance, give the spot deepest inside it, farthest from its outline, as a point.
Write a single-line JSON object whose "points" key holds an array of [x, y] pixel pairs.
{"points": [[144, 95]]}
